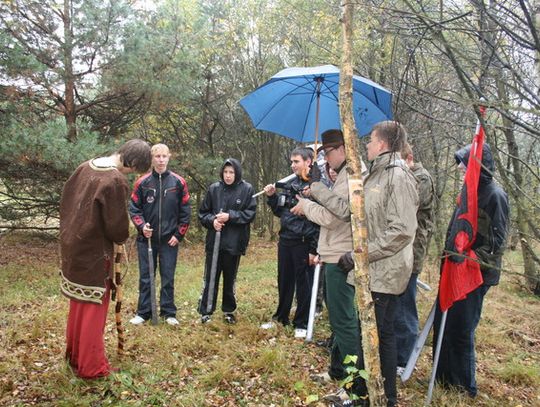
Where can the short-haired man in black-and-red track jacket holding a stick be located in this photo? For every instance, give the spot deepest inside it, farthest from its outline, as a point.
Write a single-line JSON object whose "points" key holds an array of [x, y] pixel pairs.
{"points": [[160, 210]]}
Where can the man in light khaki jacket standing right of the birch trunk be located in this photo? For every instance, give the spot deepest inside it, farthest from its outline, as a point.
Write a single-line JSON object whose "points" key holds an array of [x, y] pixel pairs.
{"points": [[391, 201]]}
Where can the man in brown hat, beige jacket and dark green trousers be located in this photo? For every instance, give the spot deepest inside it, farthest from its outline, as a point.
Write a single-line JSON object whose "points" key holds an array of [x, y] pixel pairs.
{"points": [[330, 210]]}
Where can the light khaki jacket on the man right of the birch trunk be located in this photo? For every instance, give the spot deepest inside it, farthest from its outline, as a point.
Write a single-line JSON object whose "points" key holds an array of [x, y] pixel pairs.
{"points": [[391, 205]]}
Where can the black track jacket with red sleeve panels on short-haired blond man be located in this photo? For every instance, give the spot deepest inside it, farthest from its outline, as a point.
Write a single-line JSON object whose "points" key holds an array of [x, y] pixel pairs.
{"points": [[163, 201]]}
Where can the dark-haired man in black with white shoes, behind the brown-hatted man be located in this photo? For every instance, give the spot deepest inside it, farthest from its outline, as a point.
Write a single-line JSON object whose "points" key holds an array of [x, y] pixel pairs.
{"points": [[297, 246]]}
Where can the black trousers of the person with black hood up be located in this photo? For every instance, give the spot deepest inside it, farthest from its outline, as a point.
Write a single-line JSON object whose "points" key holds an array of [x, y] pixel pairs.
{"points": [[227, 265]]}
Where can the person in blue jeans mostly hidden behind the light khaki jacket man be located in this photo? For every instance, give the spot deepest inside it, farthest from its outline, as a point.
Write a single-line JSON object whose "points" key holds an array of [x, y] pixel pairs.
{"points": [[406, 324]]}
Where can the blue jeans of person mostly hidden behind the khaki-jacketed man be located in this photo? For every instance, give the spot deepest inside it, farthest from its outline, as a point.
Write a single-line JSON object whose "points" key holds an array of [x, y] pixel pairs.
{"points": [[406, 323]]}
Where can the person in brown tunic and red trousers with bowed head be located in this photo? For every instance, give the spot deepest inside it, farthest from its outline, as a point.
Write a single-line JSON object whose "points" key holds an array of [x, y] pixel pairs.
{"points": [[93, 216]]}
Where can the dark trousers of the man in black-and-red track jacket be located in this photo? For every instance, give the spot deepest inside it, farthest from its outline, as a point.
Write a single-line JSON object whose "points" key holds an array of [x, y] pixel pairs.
{"points": [[167, 256]]}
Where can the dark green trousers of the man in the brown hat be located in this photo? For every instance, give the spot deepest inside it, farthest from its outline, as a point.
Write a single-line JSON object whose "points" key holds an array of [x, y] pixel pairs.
{"points": [[343, 316]]}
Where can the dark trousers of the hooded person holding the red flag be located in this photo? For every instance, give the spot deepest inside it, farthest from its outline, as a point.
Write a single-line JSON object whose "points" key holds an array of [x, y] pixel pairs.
{"points": [[457, 364]]}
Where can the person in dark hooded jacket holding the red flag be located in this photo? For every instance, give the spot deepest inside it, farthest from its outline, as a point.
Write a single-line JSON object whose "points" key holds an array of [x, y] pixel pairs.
{"points": [[457, 363]]}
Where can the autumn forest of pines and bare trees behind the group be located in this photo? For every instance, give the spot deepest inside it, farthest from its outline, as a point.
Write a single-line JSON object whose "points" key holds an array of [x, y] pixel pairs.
{"points": [[78, 78]]}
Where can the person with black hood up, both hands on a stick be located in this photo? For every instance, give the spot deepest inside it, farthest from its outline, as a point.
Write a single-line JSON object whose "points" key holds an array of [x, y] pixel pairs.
{"points": [[228, 207]]}
